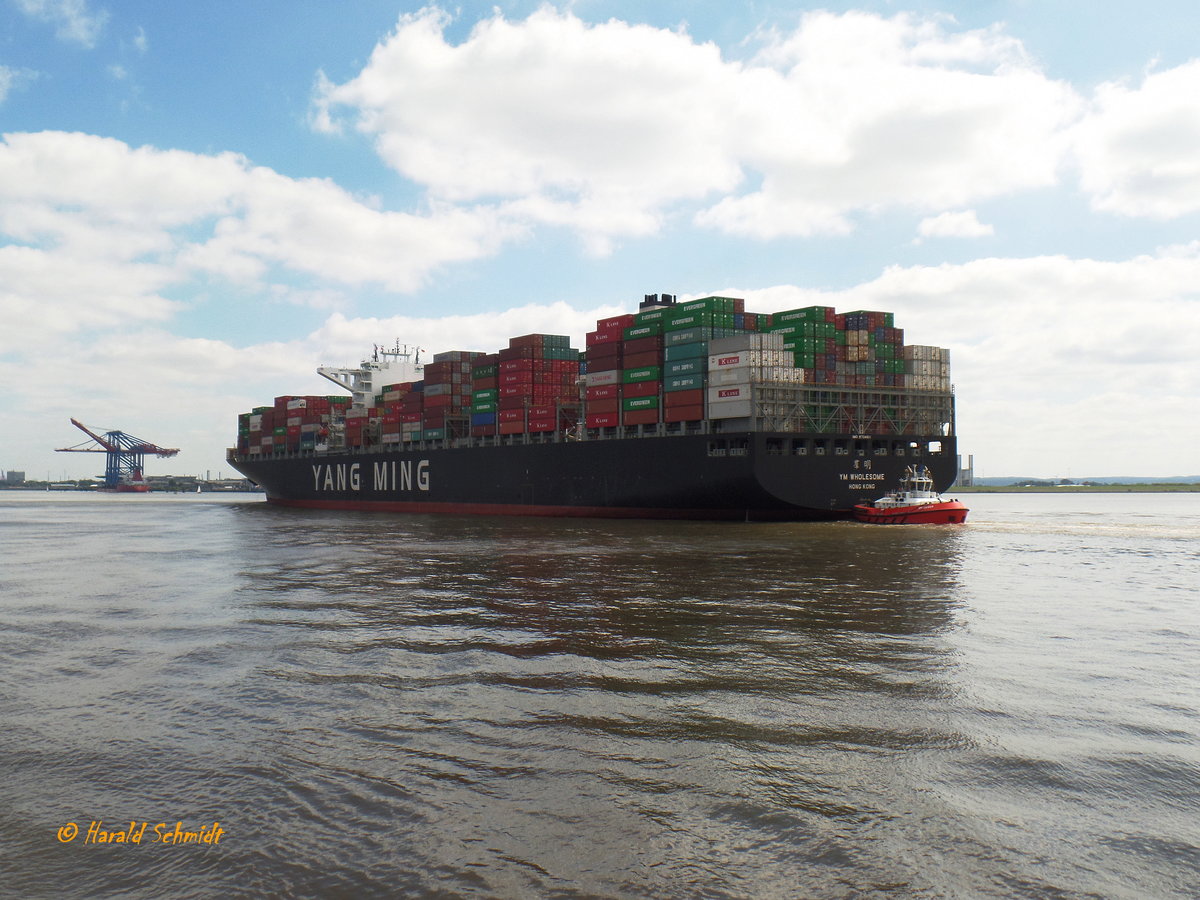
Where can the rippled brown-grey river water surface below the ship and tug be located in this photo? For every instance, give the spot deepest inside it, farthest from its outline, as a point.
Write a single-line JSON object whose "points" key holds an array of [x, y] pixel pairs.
{"points": [[347, 705]]}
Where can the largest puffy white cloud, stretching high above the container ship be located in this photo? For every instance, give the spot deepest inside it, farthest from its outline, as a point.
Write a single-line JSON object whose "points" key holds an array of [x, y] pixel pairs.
{"points": [[611, 128]]}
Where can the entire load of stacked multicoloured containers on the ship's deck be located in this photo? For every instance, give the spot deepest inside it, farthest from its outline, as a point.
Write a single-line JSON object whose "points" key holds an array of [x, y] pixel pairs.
{"points": [[669, 368]]}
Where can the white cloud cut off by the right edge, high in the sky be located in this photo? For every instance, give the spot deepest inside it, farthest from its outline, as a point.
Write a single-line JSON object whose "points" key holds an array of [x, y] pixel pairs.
{"points": [[1139, 148]]}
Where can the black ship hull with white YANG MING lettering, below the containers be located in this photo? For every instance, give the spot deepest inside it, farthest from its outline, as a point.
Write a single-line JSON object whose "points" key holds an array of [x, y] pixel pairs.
{"points": [[745, 476]]}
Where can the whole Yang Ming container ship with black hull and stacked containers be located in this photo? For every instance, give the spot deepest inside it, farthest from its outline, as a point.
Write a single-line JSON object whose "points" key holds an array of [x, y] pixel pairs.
{"points": [[695, 410]]}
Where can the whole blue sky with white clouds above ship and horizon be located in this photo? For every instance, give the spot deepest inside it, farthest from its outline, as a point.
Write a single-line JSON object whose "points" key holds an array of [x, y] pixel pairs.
{"points": [[201, 205]]}
